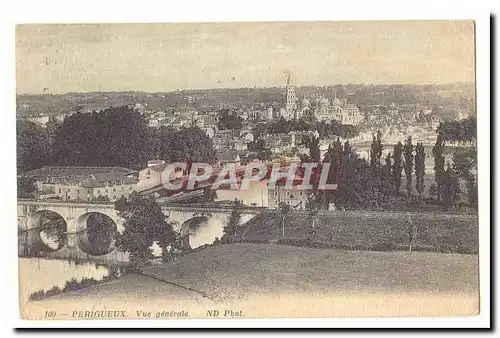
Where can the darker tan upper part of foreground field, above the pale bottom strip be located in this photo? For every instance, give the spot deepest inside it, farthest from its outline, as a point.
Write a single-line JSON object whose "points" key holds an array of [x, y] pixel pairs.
{"points": [[244, 269]]}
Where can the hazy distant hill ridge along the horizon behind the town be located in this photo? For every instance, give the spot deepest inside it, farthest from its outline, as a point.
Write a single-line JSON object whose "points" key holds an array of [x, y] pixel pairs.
{"points": [[205, 99]]}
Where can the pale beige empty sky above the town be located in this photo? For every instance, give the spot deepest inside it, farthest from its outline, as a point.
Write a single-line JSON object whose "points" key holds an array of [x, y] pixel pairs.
{"points": [[166, 57]]}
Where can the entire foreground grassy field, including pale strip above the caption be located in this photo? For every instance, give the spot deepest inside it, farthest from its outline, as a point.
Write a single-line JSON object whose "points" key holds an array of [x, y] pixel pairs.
{"points": [[267, 280]]}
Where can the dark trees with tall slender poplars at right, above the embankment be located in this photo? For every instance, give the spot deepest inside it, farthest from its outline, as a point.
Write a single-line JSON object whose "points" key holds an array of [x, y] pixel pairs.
{"points": [[364, 184]]}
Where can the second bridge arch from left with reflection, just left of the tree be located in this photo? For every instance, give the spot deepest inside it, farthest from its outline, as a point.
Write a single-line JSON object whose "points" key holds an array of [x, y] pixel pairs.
{"points": [[95, 233]]}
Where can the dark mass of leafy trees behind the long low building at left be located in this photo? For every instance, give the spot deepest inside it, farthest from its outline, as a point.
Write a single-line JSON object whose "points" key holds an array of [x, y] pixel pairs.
{"points": [[116, 136]]}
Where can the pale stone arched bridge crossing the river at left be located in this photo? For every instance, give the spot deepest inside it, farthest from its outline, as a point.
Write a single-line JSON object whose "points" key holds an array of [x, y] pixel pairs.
{"points": [[74, 239]]}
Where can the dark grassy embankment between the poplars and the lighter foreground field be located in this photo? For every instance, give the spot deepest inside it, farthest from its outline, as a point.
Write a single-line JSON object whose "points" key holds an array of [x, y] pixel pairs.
{"points": [[364, 230]]}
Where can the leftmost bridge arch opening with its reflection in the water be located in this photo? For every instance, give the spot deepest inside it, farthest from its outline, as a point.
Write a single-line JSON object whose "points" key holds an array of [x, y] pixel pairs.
{"points": [[48, 231]]}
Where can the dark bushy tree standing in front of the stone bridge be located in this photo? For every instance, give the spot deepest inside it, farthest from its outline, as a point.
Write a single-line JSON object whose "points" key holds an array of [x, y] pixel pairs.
{"points": [[144, 225]]}
